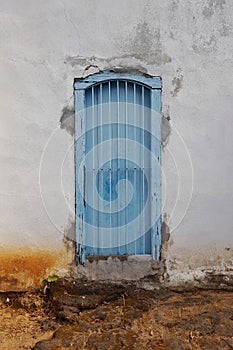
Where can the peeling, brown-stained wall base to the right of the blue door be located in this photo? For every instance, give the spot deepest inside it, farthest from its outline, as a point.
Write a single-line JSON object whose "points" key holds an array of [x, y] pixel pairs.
{"points": [[210, 268]]}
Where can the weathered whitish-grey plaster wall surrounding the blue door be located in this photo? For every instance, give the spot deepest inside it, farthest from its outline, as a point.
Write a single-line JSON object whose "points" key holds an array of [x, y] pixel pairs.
{"points": [[189, 43]]}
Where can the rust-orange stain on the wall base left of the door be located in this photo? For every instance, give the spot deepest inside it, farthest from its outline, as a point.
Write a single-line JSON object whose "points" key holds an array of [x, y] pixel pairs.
{"points": [[23, 269]]}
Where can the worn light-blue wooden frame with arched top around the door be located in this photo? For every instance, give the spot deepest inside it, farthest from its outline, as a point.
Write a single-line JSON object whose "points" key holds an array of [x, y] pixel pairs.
{"points": [[80, 86]]}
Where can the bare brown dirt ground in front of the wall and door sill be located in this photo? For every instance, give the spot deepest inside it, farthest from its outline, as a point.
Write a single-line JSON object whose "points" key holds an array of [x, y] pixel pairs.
{"points": [[97, 316]]}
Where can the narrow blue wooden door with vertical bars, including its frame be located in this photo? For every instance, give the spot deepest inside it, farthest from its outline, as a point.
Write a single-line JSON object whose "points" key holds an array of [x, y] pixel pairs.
{"points": [[118, 172]]}
